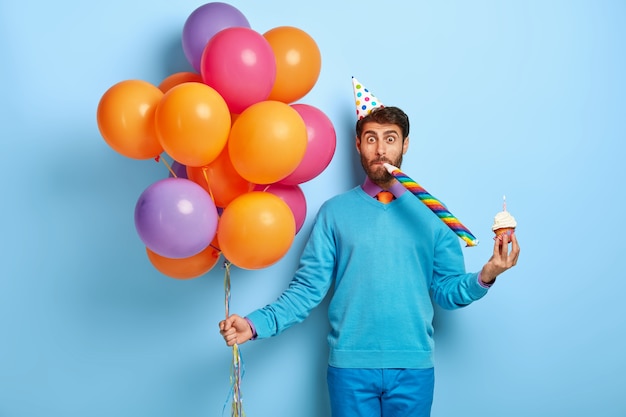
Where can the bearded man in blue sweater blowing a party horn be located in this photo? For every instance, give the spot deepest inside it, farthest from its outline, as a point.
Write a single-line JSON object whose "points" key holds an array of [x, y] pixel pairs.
{"points": [[387, 262]]}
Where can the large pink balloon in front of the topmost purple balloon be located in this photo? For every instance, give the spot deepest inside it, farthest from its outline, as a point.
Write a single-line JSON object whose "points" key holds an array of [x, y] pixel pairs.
{"points": [[239, 63]]}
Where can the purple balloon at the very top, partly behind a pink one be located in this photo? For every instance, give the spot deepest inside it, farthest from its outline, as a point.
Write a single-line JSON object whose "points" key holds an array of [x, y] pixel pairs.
{"points": [[203, 23]]}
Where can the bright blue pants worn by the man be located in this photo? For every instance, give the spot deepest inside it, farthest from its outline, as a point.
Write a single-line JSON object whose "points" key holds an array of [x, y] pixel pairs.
{"points": [[380, 392]]}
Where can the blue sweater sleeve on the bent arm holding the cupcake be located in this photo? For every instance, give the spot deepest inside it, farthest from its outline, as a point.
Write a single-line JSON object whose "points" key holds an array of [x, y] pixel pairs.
{"points": [[451, 286]]}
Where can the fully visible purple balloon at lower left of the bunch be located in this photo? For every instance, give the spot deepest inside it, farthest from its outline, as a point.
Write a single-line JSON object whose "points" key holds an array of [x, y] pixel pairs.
{"points": [[175, 218]]}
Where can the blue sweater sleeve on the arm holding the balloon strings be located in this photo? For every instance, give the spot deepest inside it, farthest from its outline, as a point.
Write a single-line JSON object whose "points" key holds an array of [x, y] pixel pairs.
{"points": [[307, 289]]}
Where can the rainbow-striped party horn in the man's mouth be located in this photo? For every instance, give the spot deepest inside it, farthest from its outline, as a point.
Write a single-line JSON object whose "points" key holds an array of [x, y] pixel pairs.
{"points": [[435, 205]]}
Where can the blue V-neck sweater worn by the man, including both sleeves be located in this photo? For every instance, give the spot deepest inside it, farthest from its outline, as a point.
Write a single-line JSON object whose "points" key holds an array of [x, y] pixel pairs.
{"points": [[386, 264]]}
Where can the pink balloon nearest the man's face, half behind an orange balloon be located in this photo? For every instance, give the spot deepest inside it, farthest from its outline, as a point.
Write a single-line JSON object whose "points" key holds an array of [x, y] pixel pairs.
{"points": [[322, 141]]}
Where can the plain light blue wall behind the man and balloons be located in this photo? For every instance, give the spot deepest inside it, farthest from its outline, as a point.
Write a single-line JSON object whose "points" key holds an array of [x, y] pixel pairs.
{"points": [[523, 98]]}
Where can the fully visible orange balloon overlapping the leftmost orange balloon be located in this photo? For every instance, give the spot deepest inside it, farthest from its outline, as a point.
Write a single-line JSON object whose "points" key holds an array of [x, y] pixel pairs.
{"points": [[193, 123]]}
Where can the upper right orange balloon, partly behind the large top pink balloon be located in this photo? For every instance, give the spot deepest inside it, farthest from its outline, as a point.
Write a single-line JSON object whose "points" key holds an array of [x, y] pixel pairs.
{"points": [[298, 63]]}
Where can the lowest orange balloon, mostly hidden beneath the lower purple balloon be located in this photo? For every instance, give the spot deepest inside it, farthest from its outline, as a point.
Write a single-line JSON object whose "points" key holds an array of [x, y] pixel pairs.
{"points": [[185, 268]]}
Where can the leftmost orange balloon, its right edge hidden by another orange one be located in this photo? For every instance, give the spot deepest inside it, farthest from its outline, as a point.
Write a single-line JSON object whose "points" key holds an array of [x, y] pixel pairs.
{"points": [[126, 119]]}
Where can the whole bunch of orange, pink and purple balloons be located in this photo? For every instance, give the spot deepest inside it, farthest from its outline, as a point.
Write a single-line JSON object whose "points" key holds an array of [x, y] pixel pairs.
{"points": [[240, 145]]}
